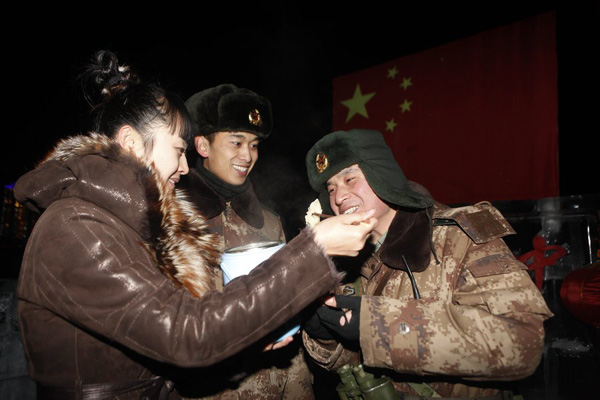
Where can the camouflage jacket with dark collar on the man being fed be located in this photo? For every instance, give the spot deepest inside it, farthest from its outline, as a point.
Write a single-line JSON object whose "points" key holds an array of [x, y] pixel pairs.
{"points": [[480, 316]]}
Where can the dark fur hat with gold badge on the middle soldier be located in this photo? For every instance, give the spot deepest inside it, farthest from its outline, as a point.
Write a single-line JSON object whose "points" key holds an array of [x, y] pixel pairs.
{"points": [[230, 109]]}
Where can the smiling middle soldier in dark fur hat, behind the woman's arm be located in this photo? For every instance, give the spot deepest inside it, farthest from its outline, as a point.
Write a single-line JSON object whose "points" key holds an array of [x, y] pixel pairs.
{"points": [[229, 123]]}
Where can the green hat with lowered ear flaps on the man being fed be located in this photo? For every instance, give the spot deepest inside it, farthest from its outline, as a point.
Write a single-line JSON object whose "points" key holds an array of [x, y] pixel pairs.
{"points": [[368, 149]]}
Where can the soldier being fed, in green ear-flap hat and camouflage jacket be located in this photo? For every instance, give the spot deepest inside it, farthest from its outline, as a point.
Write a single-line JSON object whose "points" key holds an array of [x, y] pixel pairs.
{"points": [[440, 305]]}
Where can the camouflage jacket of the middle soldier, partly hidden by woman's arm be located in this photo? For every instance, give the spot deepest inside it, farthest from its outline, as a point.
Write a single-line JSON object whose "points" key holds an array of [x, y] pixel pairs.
{"points": [[253, 374]]}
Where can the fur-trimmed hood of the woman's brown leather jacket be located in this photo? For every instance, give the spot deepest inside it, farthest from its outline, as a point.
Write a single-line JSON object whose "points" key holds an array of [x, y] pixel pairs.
{"points": [[95, 168]]}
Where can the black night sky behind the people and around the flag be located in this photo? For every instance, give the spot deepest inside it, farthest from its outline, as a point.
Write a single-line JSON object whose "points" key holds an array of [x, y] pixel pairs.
{"points": [[286, 51]]}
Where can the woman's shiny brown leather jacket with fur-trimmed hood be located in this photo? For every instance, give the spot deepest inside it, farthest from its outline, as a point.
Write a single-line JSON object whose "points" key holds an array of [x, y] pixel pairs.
{"points": [[103, 282]]}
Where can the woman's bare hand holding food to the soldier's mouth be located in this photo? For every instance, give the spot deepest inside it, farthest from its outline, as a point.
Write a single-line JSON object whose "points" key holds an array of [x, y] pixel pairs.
{"points": [[345, 235]]}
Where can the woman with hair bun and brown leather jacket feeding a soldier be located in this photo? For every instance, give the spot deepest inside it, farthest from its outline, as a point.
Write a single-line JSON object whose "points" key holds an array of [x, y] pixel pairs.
{"points": [[116, 285]]}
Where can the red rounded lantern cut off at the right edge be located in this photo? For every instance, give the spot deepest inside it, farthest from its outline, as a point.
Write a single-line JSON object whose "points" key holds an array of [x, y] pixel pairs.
{"points": [[580, 293]]}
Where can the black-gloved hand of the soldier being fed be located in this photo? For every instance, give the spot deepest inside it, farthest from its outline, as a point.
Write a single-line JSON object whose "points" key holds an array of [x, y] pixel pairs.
{"points": [[332, 318]]}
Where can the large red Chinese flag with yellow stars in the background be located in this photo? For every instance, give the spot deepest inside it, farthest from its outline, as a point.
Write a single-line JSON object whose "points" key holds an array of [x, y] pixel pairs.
{"points": [[472, 120]]}
